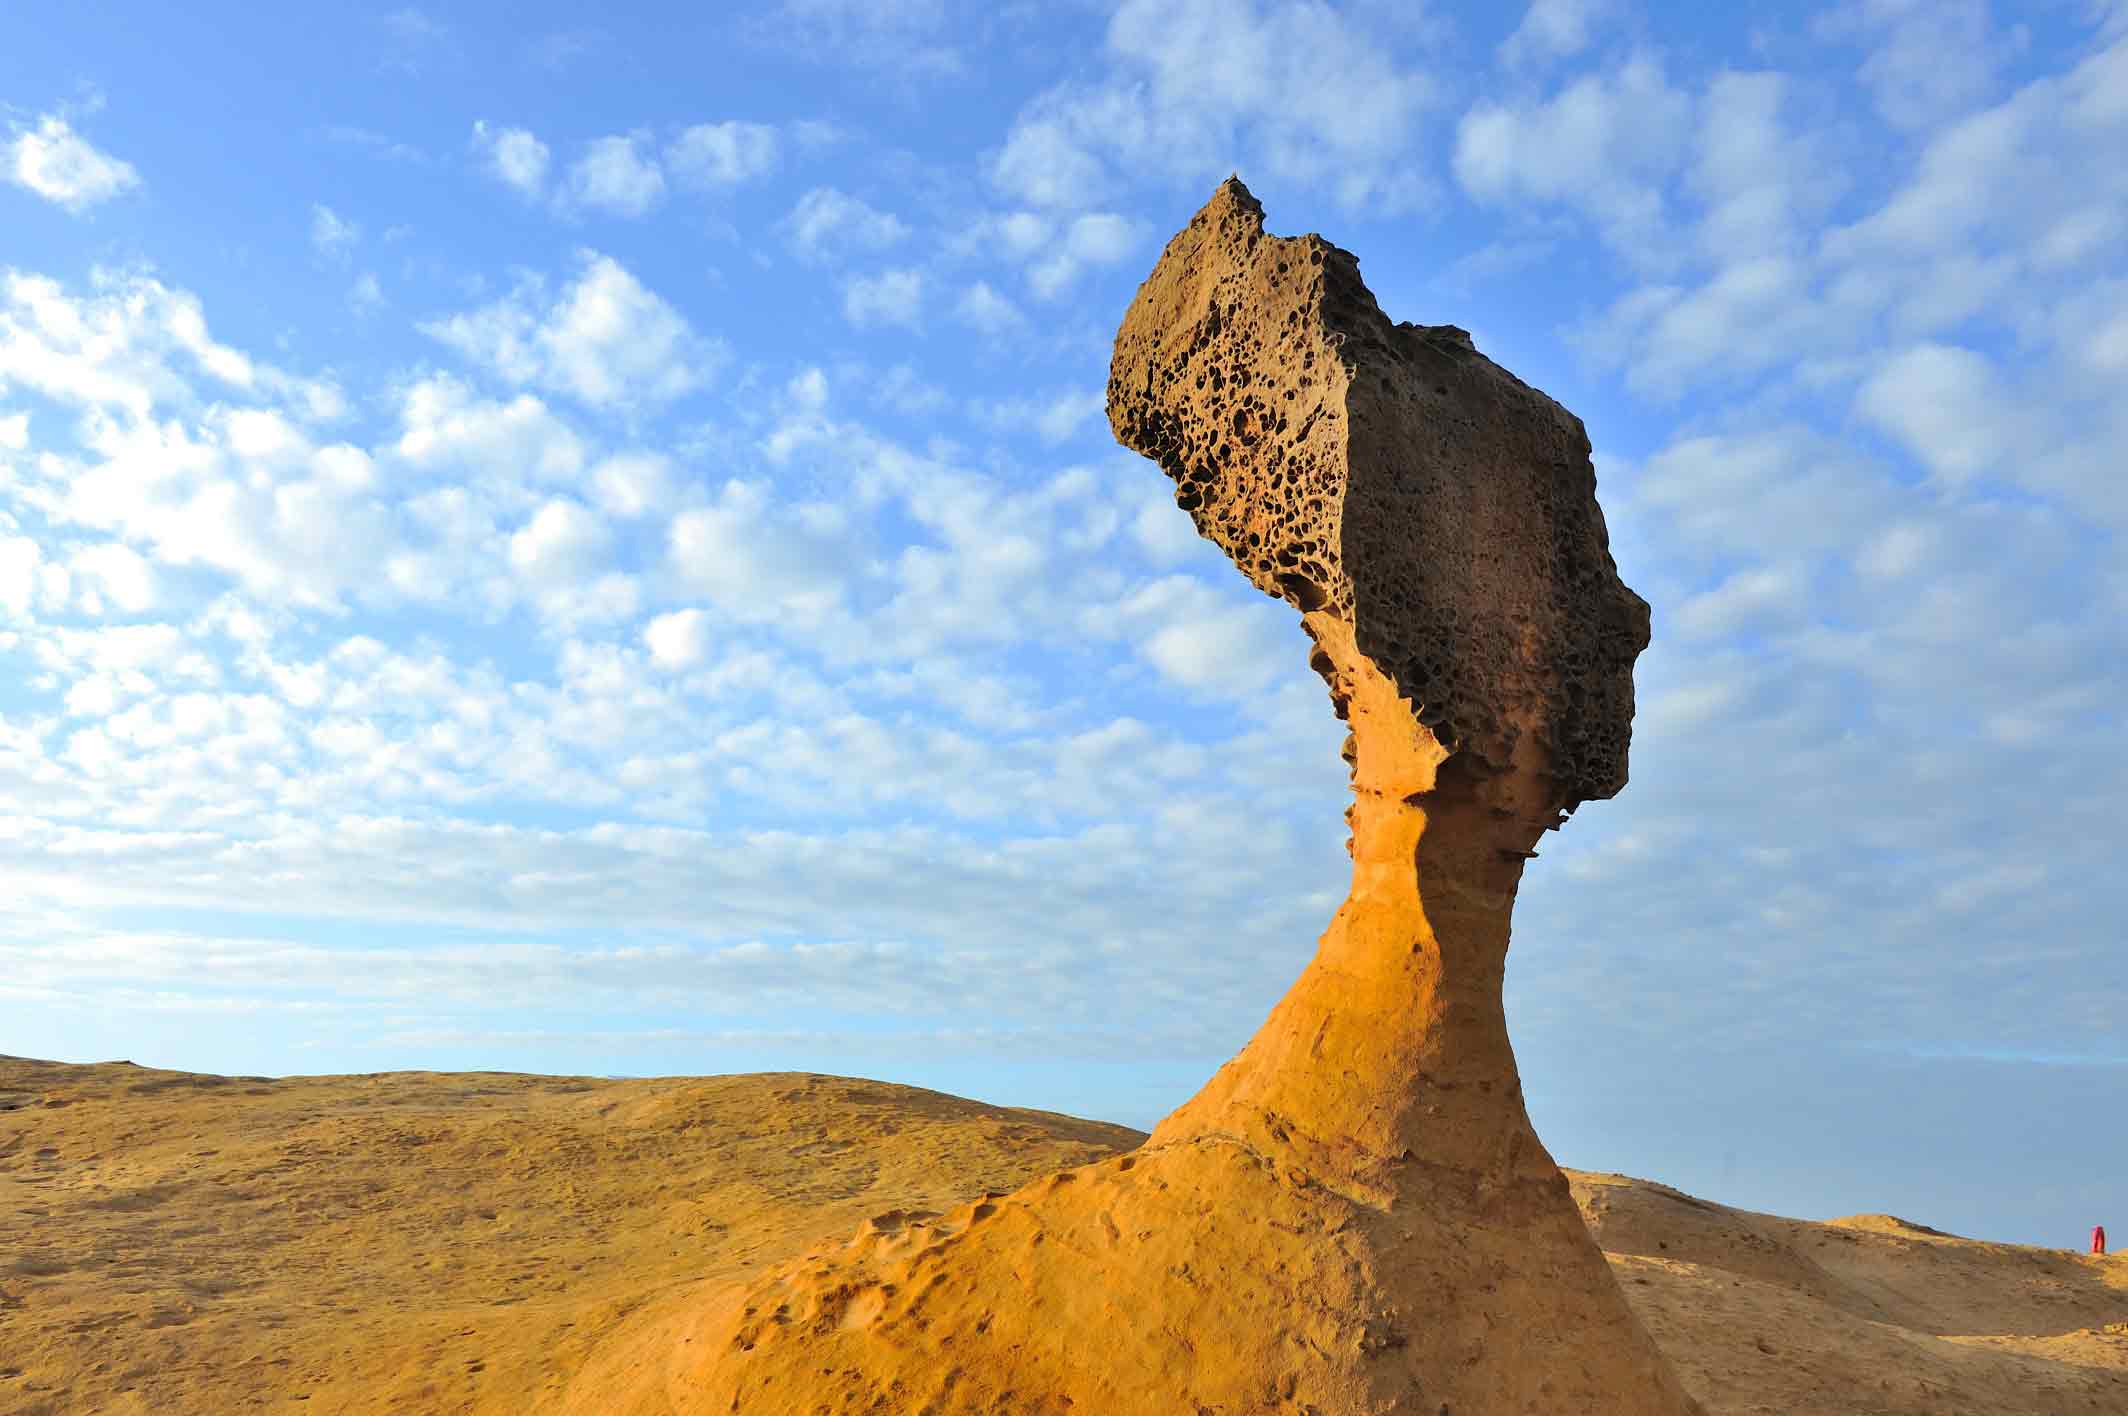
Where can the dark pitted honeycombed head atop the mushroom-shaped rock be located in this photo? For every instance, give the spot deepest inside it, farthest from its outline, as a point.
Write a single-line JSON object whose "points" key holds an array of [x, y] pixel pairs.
{"points": [[1393, 476]]}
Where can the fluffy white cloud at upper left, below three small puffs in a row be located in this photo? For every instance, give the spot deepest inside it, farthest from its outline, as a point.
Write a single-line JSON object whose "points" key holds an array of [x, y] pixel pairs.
{"points": [[603, 340]]}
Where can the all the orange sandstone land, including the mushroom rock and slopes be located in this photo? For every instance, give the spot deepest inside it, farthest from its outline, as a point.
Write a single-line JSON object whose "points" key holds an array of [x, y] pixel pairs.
{"points": [[1350, 1219]]}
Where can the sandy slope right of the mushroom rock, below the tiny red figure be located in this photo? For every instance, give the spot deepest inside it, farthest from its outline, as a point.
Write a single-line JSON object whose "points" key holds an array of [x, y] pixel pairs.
{"points": [[1867, 1315]]}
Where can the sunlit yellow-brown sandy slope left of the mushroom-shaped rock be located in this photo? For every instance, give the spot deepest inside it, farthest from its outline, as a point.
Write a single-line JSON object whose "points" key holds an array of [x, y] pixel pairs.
{"points": [[420, 1242]]}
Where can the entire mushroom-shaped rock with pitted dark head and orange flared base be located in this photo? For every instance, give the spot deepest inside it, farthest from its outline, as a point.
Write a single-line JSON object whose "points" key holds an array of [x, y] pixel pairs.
{"points": [[1354, 1215]]}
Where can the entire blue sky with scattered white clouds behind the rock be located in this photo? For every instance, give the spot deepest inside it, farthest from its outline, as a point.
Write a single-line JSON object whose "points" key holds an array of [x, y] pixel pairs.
{"points": [[593, 546]]}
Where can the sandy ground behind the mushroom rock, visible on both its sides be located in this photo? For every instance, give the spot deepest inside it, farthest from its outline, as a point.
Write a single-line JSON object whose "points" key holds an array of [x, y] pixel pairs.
{"points": [[484, 1242]]}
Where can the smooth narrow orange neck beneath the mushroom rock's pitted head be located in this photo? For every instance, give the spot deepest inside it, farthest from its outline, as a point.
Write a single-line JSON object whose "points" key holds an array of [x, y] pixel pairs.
{"points": [[1393, 1044]]}
